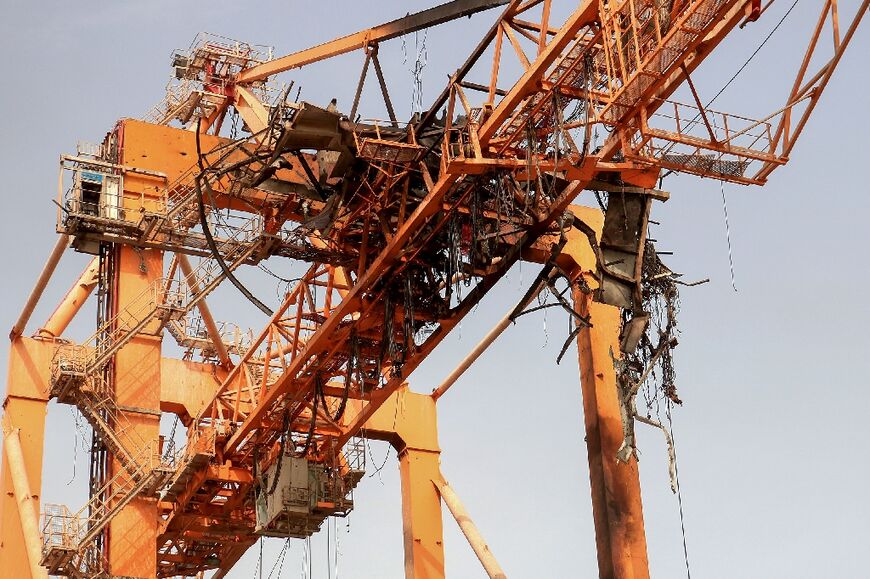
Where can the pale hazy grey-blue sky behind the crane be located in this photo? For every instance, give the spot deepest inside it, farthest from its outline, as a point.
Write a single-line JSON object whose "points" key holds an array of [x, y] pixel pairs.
{"points": [[772, 436]]}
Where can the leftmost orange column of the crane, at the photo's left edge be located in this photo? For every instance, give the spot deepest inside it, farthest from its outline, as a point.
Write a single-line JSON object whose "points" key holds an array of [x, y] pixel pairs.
{"points": [[24, 409]]}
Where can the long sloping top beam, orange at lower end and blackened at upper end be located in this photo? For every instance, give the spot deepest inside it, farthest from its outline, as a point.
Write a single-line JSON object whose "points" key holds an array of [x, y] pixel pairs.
{"points": [[399, 27]]}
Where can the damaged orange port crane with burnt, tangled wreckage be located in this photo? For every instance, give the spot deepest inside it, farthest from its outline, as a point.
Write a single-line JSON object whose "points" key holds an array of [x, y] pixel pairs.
{"points": [[404, 227]]}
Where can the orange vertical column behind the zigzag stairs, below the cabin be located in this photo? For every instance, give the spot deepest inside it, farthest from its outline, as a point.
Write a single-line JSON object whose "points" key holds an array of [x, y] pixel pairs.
{"points": [[132, 534]]}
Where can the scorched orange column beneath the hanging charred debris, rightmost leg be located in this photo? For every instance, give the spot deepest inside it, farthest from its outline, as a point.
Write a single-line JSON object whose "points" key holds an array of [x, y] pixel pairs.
{"points": [[616, 501]]}
